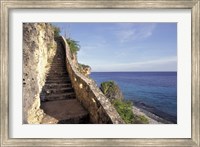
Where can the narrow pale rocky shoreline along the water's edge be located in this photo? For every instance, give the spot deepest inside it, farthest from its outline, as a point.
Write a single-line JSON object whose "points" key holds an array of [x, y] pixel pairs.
{"points": [[153, 119]]}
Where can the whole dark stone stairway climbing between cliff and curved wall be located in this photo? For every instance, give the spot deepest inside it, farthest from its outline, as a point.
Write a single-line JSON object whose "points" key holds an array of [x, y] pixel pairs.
{"points": [[58, 99]]}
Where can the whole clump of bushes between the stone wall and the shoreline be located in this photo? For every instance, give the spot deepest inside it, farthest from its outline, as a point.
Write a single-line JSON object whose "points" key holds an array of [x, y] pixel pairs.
{"points": [[112, 91]]}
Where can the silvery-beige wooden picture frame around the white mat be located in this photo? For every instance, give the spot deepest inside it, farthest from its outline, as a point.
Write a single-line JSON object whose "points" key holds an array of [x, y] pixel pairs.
{"points": [[7, 5]]}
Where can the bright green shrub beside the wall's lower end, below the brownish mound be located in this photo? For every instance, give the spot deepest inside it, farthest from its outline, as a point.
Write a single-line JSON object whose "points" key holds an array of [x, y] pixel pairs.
{"points": [[124, 108]]}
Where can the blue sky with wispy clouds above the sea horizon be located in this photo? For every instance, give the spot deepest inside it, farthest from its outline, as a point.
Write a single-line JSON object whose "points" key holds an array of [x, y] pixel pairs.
{"points": [[125, 46]]}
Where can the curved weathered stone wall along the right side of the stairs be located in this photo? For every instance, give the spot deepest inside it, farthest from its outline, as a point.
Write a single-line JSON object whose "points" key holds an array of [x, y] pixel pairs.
{"points": [[90, 96]]}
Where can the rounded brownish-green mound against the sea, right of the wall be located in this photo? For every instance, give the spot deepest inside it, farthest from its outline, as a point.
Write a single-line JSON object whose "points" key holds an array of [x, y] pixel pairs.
{"points": [[111, 90]]}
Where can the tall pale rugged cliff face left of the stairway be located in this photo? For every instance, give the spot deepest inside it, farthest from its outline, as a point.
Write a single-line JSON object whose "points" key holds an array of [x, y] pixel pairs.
{"points": [[39, 48]]}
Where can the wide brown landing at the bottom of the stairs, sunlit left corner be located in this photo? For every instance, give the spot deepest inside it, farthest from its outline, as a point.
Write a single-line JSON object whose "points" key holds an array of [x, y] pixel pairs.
{"points": [[64, 112]]}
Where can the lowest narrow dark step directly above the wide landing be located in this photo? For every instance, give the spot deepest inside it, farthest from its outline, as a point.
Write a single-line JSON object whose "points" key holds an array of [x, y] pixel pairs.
{"points": [[60, 96]]}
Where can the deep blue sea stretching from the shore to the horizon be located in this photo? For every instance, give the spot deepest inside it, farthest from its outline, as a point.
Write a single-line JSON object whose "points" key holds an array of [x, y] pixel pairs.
{"points": [[155, 92]]}
